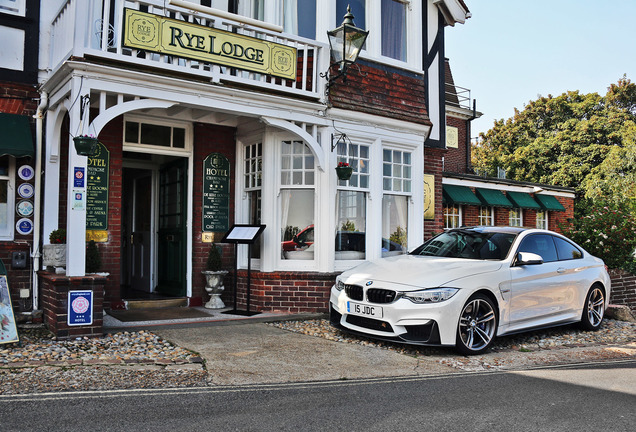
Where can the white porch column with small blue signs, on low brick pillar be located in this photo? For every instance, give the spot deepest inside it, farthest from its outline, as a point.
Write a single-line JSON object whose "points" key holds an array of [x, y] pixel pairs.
{"points": [[76, 193]]}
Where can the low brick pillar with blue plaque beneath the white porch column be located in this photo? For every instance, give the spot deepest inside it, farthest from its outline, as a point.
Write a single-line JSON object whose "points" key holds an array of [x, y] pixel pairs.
{"points": [[54, 299]]}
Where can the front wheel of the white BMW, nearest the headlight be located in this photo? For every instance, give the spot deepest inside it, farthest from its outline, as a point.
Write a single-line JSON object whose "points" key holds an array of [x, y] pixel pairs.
{"points": [[477, 325]]}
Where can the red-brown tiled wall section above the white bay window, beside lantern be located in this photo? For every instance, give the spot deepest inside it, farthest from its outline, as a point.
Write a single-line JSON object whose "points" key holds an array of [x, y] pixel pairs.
{"points": [[382, 90]]}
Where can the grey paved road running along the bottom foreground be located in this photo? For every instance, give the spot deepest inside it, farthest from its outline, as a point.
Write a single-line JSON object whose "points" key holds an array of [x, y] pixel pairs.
{"points": [[569, 398]]}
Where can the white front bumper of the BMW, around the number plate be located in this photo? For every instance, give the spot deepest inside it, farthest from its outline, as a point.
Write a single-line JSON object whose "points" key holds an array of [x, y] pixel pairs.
{"points": [[402, 320]]}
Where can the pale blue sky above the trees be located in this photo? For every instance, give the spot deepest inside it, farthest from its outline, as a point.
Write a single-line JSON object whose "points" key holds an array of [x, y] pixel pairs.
{"points": [[510, 52]]}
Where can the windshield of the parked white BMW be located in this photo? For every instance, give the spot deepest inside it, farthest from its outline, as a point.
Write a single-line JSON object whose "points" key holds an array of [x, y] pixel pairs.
{"points": [[469, 244]]}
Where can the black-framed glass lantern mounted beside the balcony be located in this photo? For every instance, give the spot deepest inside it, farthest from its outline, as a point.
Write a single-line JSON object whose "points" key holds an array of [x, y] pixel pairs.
{"points": [[345, 42]]}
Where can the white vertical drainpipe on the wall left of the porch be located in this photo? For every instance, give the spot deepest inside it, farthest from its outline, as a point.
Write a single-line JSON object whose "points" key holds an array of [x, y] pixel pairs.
{"points": [[37, 225]]}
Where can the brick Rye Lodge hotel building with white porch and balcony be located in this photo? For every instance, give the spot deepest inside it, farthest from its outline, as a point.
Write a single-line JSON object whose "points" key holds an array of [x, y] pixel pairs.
{"points": [[227, 117]]}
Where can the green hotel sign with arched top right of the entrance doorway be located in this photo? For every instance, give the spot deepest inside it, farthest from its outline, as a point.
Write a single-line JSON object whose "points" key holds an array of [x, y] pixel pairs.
{"points": [[216, 193]]}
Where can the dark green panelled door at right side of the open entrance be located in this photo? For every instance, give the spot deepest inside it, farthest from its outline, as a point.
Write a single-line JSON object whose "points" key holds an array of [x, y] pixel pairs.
{"points": [[171, 252]]}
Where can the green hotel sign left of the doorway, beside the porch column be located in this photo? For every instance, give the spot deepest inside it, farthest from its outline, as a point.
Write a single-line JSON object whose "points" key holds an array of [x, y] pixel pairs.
{"points": [[97, 190]]}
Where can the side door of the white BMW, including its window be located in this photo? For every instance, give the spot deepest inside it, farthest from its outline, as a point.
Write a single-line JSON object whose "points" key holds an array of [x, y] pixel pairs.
{"points": [[540, 293]]}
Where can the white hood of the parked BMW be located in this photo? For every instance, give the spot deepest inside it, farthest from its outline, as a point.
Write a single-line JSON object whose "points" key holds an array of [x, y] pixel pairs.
{"points": [[417, 272]]}
